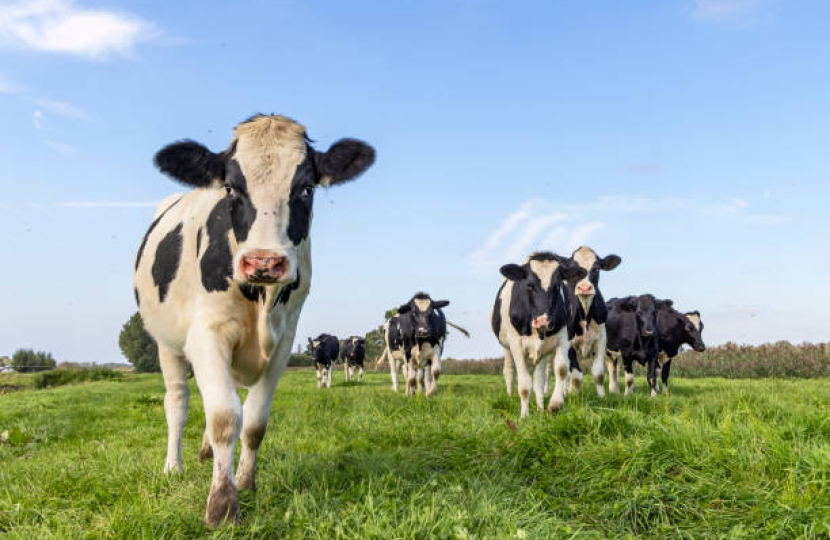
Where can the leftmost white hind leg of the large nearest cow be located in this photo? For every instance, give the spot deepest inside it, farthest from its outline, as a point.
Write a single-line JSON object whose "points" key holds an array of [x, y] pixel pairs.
{"points": [[176, 398]]}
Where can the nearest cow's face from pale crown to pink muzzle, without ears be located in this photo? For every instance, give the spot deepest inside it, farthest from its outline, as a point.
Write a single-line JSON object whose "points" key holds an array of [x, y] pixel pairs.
{"points": [[274, 168]]}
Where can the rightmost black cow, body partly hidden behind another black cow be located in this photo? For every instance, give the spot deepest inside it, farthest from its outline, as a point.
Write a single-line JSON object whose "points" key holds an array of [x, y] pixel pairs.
{"points": [[676, 329]]}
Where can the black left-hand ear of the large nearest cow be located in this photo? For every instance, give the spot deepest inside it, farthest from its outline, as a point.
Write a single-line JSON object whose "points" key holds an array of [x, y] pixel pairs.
{"points": [[190, 163]]}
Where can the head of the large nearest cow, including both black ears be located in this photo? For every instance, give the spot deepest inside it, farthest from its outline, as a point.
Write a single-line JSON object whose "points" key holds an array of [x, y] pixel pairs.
{"points": [[267, 178]]}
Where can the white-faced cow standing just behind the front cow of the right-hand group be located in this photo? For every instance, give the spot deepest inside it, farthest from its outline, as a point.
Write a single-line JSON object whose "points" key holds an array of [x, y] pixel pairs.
{"points": [[588, 314]]}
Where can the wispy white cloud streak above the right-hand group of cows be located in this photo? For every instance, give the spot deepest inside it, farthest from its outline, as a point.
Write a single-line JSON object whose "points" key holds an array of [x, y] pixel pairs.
{"points": [[540, 224]]}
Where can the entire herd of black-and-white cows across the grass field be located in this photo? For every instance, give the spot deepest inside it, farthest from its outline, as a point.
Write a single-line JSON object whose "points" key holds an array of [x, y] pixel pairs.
{"points": [[223, 272]]}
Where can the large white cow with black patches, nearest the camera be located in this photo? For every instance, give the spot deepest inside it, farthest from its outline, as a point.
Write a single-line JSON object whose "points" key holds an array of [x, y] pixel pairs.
{"points": [[221, 277]]}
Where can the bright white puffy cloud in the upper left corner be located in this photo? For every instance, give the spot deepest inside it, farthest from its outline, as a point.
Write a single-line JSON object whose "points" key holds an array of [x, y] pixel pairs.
{"points": [[61, 26]]}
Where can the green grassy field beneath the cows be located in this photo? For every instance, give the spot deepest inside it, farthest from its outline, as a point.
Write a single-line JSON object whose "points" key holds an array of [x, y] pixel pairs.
{"points": [[715, 459]]}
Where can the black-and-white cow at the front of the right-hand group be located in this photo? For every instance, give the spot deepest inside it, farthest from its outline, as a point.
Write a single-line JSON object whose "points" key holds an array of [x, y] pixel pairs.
{"points": [[530, 320]]}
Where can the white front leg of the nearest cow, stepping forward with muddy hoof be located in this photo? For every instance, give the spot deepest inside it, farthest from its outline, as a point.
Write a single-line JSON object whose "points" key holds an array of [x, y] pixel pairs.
{"points": [[223, 413]]}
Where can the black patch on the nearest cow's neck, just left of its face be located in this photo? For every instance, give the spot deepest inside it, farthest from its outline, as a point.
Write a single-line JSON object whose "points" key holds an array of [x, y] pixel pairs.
{"points": [[216, 264]]}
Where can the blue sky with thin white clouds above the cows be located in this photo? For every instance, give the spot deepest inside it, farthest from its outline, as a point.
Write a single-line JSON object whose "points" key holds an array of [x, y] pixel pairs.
{"points": [[690, 137]]}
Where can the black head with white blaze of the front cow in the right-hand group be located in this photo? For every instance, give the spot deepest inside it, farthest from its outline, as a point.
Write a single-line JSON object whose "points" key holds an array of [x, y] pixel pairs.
{"points": [[538, 282]]}
